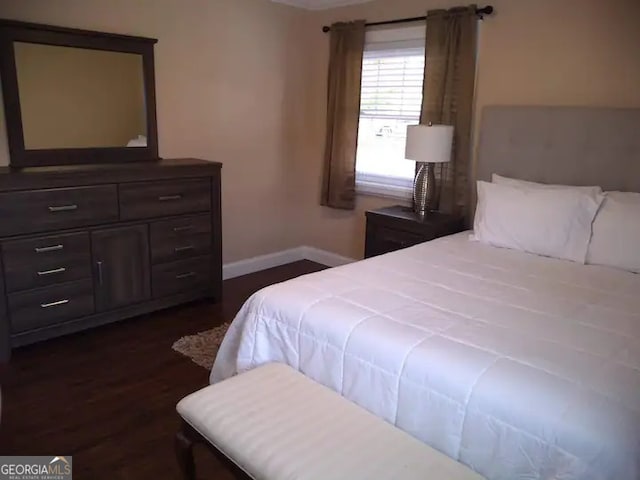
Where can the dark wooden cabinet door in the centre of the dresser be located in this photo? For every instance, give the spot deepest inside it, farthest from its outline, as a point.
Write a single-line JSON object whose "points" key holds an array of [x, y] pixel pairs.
{"points": [[121, 266]]}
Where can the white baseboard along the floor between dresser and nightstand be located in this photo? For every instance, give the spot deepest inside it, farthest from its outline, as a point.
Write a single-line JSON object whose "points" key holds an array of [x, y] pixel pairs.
{"points": [[270, 260]]}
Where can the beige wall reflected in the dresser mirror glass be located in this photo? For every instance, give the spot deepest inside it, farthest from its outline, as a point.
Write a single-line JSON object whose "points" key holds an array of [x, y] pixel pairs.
{"points": [[79, 98]]}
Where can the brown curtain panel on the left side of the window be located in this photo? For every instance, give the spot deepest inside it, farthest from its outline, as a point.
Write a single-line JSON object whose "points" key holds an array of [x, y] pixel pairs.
{"points": [[343, 111]]}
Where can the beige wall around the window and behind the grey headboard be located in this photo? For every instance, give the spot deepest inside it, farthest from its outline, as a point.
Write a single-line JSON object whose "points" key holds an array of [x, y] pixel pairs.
{"points": [[532, 52]]}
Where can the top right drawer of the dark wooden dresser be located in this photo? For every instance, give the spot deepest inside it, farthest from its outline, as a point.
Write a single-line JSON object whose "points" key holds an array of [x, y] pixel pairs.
{"points": [[158, 199]]}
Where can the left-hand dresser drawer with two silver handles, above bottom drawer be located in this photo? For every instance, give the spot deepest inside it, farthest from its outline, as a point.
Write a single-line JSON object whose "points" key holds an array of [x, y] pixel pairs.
{"points": [[42, 261]]}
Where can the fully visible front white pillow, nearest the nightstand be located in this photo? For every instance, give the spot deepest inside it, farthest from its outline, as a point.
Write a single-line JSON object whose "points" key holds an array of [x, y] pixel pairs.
{"points": [[550, 222]]}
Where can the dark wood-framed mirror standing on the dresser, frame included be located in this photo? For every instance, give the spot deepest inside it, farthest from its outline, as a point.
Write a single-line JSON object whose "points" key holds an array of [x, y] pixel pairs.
{"points": [[74, 96]]}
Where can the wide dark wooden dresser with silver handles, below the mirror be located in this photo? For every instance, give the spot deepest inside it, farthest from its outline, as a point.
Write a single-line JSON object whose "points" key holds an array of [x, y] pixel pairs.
{"points": [[86, 245]]}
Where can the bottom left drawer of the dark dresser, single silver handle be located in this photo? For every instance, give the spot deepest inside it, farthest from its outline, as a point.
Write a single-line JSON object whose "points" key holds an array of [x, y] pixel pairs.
{"points": [[51, 305]]}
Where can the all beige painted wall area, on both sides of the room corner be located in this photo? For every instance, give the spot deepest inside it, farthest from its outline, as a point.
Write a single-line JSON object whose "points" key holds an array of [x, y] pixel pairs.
{"points": [[244, 82]]}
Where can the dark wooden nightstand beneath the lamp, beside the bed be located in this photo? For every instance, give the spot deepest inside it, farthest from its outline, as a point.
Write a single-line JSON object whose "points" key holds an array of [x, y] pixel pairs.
{"points": [[393, 228]]}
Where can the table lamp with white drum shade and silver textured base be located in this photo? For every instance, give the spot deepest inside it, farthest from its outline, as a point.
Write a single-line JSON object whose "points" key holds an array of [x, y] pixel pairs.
{"points": [[427, 145]]}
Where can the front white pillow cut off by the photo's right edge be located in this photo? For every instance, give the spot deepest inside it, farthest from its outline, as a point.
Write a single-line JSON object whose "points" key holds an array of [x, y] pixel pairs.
{"points": [[616, 232]]}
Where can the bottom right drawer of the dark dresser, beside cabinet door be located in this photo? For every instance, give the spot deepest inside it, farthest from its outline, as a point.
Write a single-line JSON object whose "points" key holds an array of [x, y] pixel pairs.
{"points": [[181, 276]]}
